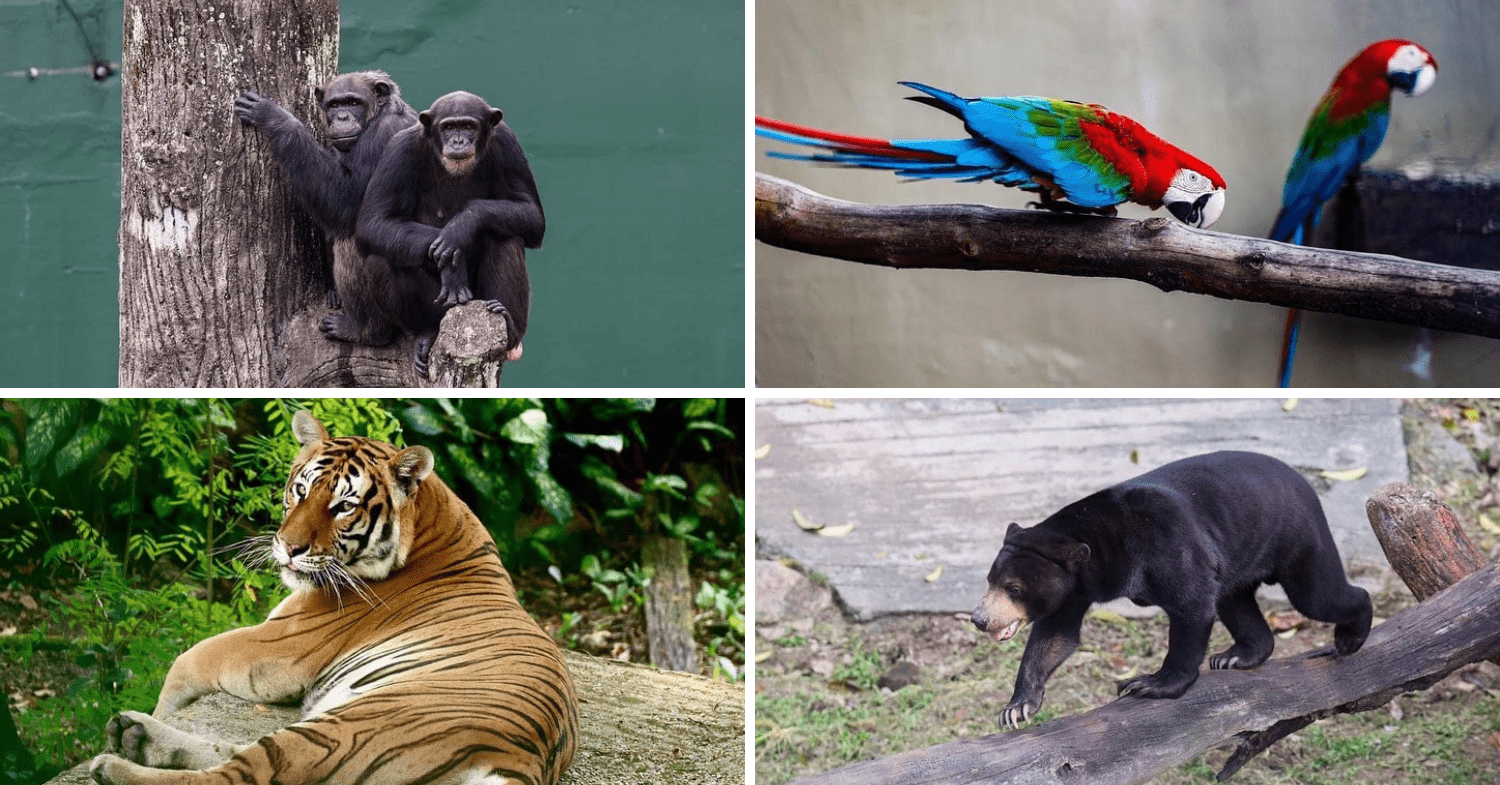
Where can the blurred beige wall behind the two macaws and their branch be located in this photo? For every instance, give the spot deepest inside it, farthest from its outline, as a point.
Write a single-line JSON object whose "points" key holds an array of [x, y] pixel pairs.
{"points": [[1231, 82]]}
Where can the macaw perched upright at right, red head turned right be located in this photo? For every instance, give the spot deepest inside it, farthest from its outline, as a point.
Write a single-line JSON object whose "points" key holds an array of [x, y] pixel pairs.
{"points": [[1346, 128]]}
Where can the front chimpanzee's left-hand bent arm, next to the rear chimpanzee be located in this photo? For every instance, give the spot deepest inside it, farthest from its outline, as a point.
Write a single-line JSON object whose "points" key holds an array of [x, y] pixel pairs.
{"points": [[388, 223]]}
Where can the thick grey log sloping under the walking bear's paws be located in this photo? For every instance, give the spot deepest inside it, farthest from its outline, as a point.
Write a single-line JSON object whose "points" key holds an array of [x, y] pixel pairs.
{"points": [[1132, 741]]}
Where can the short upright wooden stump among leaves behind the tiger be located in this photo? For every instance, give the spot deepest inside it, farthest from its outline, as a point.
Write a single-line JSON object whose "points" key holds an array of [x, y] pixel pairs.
{"points": [[670, 604]]}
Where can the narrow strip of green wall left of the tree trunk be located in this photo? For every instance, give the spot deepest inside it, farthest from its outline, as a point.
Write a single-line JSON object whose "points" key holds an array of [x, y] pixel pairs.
{"points": [[59, 197]]}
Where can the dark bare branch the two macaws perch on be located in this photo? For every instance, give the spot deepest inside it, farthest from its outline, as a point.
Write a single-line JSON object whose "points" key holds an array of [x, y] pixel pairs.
{"points": [[1159, 251]]}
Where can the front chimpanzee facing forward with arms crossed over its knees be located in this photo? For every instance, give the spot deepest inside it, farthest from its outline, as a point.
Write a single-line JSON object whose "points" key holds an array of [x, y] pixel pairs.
{"points": [[454, 197]]}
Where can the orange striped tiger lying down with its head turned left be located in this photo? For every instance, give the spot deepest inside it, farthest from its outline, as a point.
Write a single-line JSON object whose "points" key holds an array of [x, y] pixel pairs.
{"points": [[403, 639]]}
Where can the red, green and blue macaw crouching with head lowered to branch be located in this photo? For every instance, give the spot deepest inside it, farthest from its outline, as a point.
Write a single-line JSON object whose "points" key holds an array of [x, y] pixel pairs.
{"points": [[1084, 154]]}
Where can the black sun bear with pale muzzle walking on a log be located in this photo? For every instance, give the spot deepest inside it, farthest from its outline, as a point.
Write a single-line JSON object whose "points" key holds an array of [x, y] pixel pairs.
{"points": [[1196, 538]]}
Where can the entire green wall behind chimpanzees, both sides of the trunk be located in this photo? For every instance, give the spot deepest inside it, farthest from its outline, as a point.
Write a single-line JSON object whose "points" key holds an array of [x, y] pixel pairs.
{"points": [[631, 115]]}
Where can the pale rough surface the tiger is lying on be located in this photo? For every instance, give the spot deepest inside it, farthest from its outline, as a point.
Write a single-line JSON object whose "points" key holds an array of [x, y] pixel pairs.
{"points": [[637, 726]]}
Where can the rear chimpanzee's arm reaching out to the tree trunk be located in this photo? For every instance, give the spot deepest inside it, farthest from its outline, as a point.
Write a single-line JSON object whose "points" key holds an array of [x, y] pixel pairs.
{"points": [[326, 187]]}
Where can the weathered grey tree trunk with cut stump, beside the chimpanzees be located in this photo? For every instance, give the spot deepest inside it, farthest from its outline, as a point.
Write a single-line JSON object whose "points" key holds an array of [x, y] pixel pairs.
{"points": [[223, 278]]}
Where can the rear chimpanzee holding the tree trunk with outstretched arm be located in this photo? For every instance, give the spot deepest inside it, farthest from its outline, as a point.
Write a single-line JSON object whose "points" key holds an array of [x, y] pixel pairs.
{"points": [[364, 112]]}
